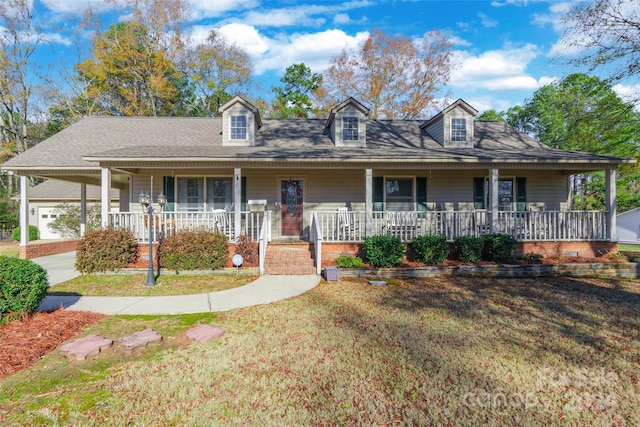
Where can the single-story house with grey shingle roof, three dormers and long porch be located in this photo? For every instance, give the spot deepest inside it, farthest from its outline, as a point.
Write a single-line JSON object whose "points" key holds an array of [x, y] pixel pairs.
{"points": [[332, 181]]}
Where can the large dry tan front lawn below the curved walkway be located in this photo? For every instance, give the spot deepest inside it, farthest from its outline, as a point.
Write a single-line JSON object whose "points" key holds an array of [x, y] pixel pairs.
{"points": [[434, 352]]}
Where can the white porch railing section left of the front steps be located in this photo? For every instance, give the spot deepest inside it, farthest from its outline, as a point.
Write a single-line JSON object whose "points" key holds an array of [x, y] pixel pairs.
{"points": [[168, 223]]}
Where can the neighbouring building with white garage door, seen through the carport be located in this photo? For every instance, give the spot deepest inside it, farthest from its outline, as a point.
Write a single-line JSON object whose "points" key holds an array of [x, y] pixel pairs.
{"points": [[46, 196]]}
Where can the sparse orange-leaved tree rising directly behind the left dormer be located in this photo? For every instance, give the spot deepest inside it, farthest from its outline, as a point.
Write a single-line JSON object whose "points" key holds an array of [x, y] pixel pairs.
{"points": [[217, 69]]}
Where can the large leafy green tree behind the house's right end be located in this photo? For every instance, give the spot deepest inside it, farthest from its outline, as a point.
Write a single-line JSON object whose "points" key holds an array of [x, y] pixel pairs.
{"points": [[584, 113]]}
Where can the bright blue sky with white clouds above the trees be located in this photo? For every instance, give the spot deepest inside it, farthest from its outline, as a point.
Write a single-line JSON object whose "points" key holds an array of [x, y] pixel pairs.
{"points": [[503, 50]]}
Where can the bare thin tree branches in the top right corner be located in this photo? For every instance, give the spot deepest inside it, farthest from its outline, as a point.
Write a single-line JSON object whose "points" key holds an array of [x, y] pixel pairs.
{"points": [[608, 34]]}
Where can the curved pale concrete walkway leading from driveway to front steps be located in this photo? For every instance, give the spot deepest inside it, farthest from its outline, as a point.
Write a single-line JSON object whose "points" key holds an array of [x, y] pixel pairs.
{"points": [[264, 290]]}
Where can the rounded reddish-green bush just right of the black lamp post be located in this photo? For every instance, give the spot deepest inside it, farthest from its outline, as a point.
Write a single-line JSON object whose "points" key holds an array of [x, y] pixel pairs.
{"points": [[194, 250]]}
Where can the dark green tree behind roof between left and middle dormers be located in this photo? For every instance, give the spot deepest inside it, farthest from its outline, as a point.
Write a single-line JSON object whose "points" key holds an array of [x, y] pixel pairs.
{"points": [[294, 100]]}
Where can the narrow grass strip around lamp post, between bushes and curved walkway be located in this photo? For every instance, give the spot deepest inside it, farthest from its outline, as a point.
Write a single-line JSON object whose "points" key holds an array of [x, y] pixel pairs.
{"points": [[134, 285]]}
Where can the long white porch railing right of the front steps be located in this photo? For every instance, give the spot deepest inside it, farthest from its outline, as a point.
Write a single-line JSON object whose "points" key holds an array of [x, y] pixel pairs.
{"points": [[522, 225]]}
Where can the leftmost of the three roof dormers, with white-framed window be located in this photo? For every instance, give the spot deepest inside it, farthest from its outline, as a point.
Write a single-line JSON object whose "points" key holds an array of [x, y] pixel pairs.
{"points": [[240, 122]]}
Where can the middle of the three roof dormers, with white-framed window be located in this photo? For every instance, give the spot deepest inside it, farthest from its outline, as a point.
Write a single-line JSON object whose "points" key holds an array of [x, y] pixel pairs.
{"points": [[347, 124]]}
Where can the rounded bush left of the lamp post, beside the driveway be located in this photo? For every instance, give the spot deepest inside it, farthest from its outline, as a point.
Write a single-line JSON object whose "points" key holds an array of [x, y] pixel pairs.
{"points": [[106, 250]]}
